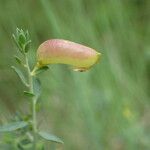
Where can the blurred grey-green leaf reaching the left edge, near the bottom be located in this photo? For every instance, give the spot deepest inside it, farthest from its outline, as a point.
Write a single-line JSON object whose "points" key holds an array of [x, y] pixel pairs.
{"points": [[13, 126]]}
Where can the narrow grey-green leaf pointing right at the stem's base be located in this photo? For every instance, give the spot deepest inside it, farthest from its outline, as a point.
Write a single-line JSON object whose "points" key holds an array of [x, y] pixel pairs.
{"points": [[50, 137]]}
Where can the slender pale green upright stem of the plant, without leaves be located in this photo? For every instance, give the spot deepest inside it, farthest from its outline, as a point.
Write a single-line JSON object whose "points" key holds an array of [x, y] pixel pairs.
{"points": [[34, 123]]}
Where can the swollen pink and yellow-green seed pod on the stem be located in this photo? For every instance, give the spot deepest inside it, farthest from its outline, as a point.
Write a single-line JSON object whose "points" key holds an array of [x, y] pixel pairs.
{"points": [[58, 51]]}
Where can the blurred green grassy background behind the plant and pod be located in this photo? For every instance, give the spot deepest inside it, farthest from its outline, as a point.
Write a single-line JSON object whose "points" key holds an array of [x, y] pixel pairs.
{"points": [[106, 108]]}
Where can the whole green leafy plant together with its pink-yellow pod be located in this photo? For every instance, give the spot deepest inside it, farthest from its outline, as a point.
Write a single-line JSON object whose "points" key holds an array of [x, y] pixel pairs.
{"points": [[24, 128]]}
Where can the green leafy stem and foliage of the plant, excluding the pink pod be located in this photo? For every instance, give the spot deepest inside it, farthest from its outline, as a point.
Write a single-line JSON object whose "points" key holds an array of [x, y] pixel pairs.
{"points": [[28, 136]]}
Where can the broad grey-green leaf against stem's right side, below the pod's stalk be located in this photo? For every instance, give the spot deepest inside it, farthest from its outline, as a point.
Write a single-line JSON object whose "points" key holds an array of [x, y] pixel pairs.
{"points": [[36, 87]]}
